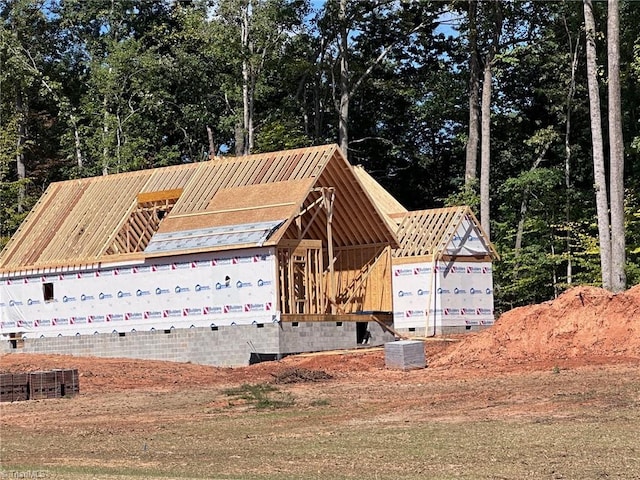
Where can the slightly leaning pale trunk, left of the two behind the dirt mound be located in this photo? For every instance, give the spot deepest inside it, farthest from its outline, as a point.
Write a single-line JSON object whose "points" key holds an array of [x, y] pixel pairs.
{"points": [[600, 183]]}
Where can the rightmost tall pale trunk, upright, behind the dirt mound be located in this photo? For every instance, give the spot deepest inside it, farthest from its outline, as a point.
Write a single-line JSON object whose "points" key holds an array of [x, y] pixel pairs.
{"points": [[616, 150]]}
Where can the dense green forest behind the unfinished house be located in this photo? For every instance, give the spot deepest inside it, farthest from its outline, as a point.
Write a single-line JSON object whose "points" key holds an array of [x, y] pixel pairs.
{"points": [[94, 87]]}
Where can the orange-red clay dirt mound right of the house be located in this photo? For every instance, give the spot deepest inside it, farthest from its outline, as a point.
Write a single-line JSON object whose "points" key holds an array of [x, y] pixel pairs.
{"points": [[582, 322]]}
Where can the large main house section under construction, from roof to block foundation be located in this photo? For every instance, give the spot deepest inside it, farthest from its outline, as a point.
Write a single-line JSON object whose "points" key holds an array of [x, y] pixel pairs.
{"points": [[215, 262]]}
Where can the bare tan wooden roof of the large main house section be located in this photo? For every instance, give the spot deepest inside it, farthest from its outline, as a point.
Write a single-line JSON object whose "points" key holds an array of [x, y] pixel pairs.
{"points": [[80, 219]]}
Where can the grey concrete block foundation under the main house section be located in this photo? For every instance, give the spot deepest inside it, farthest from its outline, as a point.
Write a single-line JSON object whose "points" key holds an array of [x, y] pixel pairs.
{"points": [[234, 345]]}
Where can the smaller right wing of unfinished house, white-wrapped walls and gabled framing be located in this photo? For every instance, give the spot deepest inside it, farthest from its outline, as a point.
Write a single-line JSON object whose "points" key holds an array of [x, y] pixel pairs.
{"points": [[442, 277]]}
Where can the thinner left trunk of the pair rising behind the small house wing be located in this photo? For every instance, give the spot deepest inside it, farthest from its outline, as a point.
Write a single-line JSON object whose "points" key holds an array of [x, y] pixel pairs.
{"points": [[471, 163]]}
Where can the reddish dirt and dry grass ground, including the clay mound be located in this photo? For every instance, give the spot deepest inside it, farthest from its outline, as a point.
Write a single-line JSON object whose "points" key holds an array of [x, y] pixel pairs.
{"points": [[571, 363]]}
